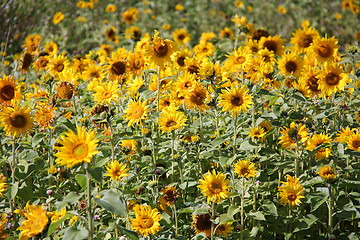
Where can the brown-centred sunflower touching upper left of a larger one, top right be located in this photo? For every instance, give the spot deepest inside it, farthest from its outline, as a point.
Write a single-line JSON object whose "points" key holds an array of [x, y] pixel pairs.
{"points": [[303, 38]]}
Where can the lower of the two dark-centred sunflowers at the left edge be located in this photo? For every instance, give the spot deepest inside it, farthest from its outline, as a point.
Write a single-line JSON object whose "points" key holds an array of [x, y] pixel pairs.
{"points": [[16, 121]]}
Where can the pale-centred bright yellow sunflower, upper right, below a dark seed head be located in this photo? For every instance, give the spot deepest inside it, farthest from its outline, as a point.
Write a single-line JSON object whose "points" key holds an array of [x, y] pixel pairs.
{"points": [[239, 60]]}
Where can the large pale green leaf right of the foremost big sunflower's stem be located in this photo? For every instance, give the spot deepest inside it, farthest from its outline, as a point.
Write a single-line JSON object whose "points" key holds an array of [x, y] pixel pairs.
{"points": [[111, 202]]}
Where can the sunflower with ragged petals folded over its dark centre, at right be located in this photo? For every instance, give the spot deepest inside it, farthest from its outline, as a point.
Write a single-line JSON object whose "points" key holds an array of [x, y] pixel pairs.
{"points": [[293, 135]]}
